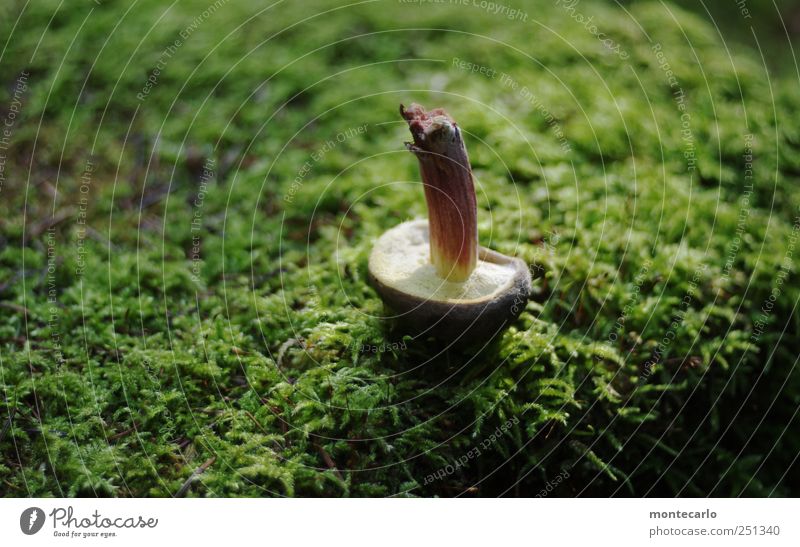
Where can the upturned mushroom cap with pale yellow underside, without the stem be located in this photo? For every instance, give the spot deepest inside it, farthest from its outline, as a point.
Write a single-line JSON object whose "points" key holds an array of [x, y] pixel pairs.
{"points": [[401, 272]]}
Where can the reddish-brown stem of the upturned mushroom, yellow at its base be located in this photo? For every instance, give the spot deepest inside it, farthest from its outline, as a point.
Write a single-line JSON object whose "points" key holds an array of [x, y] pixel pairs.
{"points": [[449, 191]]}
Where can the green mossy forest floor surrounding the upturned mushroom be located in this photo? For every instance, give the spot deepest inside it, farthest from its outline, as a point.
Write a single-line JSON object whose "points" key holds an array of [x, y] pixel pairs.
{"points": [[189, 196]]}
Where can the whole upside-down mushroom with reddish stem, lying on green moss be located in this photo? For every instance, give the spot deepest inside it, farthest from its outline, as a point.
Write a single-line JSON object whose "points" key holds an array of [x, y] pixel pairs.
{"points": [[433, 273]]}
